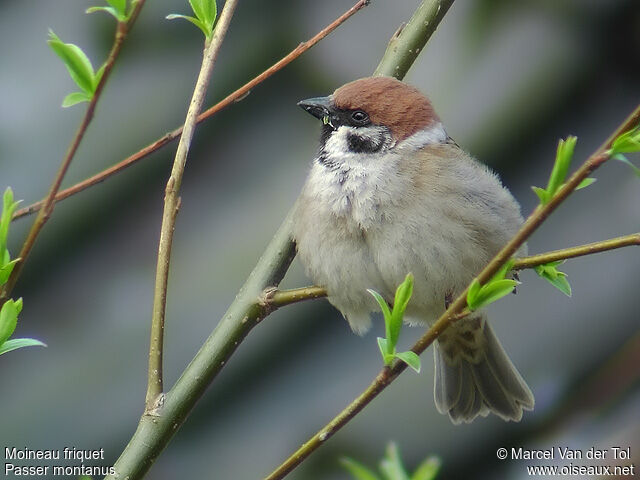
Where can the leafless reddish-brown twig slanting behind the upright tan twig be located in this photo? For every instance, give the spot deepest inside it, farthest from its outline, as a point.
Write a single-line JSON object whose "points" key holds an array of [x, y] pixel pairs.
{"points": [[172, 135]]}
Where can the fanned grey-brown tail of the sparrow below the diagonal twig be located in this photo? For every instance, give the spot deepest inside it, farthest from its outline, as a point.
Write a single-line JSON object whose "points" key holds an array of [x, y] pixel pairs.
{"points": [[474, 376]]}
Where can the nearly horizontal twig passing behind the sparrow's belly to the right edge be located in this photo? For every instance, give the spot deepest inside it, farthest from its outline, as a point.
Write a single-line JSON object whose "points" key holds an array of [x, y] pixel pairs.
{"points": [[281, 298]]}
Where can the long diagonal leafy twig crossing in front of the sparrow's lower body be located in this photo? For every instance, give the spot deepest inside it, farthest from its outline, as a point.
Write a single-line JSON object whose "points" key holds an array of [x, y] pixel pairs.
{"points": [[389, 374]]}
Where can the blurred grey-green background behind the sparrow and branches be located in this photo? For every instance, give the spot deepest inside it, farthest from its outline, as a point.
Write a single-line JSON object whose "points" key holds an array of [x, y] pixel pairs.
{"points": [[507, 78]]}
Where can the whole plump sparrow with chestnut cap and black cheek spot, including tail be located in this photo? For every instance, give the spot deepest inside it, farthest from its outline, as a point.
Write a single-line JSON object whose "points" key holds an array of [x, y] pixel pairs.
{"points": [[391, 193]]}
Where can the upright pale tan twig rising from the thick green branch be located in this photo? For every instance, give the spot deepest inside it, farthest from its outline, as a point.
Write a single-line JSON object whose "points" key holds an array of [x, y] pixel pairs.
{"points": [[172, 204]]}
